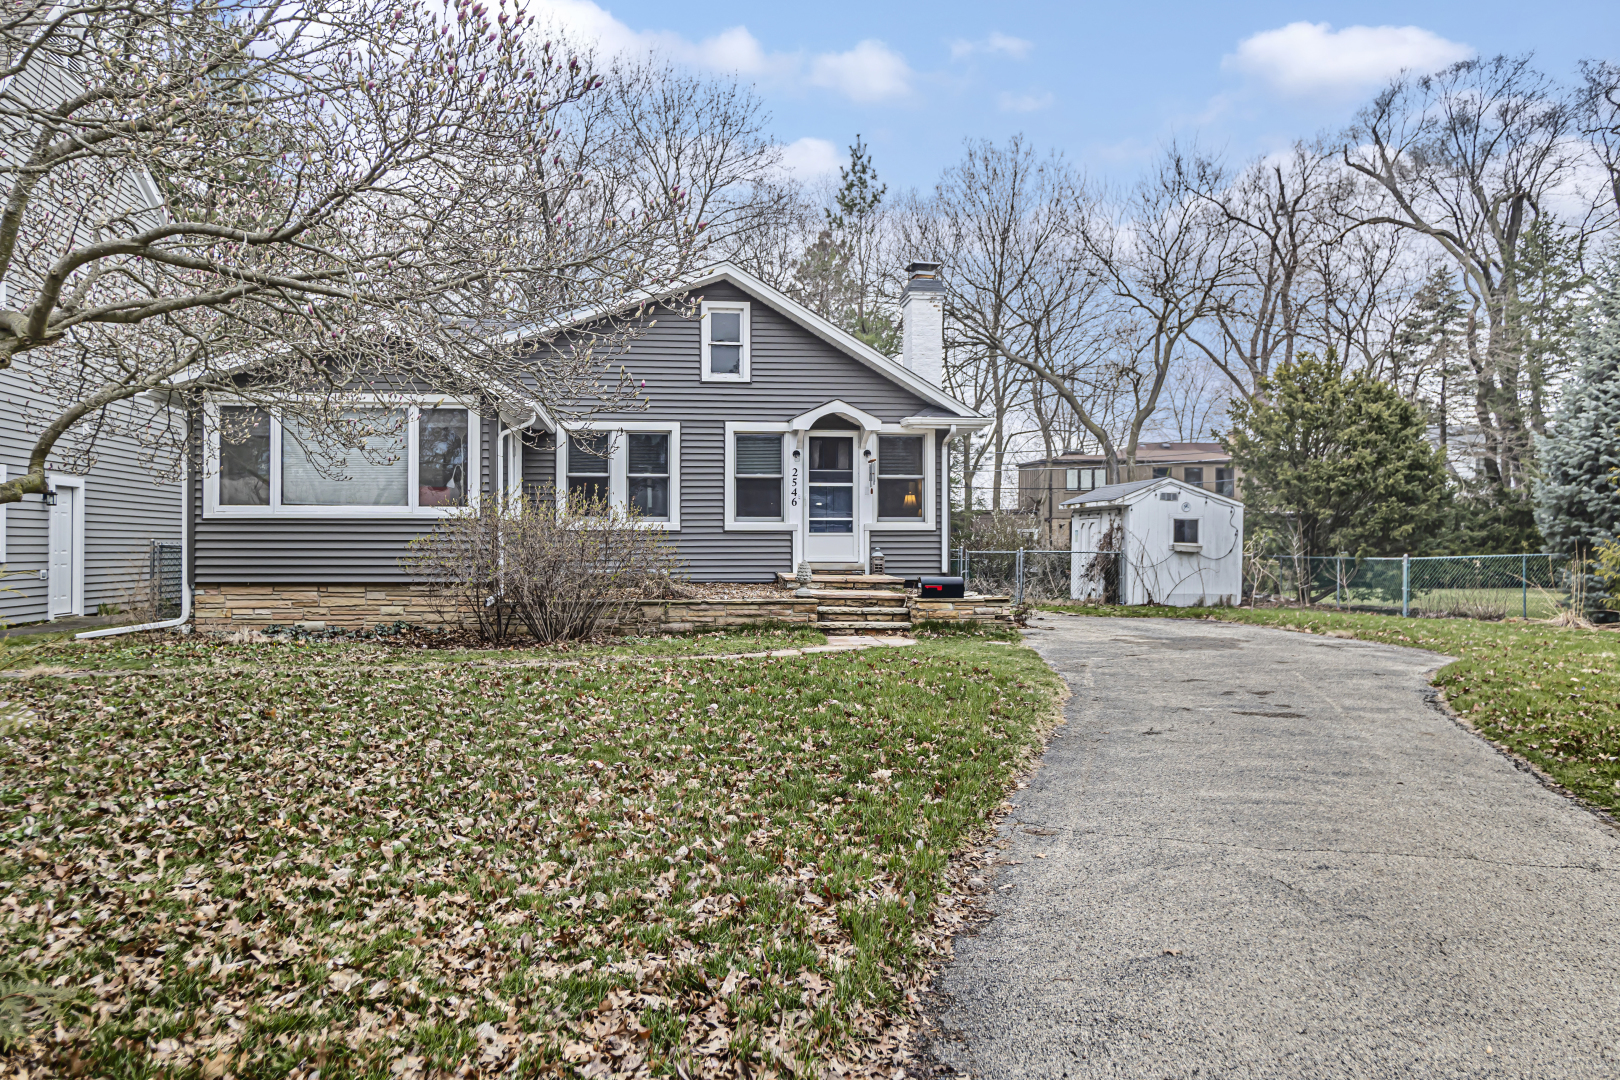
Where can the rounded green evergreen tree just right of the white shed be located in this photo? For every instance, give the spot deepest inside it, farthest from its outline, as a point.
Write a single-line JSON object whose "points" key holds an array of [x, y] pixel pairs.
{"points": [[1339, 462]]}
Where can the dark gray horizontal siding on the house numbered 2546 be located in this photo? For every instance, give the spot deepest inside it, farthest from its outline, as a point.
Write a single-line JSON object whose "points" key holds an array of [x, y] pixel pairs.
{"points": [[793, 372]]}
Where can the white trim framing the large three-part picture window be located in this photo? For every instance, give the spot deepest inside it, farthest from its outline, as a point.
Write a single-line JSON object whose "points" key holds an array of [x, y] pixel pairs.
{"points": [[213, 509]]}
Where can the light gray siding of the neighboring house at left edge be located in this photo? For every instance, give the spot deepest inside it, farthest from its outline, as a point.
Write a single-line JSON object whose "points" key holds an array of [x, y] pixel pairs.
{"points": [[126, 509]]}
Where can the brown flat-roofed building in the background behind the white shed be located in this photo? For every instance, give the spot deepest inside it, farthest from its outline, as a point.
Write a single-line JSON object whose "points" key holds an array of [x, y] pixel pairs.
{"points": [[1044, 485]]}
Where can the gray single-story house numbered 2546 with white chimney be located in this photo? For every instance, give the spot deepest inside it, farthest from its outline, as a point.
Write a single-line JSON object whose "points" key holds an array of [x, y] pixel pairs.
{"points": [[772, 438]]}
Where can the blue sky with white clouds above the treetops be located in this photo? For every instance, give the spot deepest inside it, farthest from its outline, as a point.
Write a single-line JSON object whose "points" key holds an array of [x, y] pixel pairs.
{"points": [[1107, 85]]}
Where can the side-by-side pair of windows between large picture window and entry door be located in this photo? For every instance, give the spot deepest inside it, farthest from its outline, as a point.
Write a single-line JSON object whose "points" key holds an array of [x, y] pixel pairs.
{"points": [[636, 467]]}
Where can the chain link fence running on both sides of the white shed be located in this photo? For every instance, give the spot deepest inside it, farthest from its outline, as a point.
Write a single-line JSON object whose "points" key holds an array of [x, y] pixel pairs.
{"points": [[1462, 587]]}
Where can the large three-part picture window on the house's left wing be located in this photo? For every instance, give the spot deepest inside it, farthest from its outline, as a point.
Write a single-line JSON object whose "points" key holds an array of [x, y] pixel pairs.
{"points": [[367, 461]]}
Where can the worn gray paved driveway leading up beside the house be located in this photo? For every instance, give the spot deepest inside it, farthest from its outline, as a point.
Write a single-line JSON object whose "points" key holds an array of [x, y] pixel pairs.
{"points": [[1266, 856]]}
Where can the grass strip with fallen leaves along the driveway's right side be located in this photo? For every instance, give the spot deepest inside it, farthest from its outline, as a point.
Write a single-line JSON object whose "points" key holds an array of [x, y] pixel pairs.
{"points": [[1548, 694]]}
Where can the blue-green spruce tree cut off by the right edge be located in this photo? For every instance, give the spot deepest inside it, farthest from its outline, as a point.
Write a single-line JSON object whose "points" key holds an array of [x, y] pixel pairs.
{"points": [[1579, 493]]}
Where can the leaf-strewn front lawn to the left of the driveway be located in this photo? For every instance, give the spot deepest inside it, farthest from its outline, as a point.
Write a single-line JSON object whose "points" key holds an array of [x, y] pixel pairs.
{"points": [[268, 861]]}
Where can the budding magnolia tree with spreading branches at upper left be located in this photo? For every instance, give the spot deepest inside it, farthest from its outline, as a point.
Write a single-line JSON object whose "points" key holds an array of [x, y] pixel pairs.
{"points": [[302, 203]]}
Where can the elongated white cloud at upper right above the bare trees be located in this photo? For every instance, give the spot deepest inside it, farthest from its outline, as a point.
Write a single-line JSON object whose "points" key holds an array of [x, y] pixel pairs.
{"points": [[1313, 59]]}
